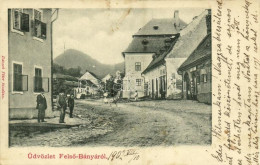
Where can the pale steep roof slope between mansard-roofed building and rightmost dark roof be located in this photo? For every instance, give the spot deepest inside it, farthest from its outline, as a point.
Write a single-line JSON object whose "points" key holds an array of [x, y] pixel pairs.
{"points": [[190, 37]]}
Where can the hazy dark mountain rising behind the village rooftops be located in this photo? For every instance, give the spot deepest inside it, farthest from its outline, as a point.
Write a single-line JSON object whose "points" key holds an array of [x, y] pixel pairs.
{"points": [[72, 58]]}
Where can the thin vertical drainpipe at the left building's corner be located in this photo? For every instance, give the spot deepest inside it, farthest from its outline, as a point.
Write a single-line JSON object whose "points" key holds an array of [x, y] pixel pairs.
{"points": [[57, 10]]}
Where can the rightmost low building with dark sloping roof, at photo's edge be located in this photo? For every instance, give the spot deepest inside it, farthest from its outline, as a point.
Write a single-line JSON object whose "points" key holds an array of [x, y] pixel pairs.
{"points": [[196, 73]]}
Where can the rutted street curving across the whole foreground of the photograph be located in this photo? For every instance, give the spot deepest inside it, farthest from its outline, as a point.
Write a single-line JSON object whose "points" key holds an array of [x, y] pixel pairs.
{"points": [[144, 123]]}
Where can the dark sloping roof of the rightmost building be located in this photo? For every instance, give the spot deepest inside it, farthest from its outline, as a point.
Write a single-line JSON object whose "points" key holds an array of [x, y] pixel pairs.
{"points": [[203, 51]]}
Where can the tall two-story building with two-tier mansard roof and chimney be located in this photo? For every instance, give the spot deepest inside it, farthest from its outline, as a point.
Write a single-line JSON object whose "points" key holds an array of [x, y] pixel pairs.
{"points": [[150, 41]]}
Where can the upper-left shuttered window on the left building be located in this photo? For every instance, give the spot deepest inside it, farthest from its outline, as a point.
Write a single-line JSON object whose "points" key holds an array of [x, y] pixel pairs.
{"points": [[20, 20]]}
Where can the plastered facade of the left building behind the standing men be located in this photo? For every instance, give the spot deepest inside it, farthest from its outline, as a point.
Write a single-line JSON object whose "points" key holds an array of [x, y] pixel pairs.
{"points": [[29, 60]]}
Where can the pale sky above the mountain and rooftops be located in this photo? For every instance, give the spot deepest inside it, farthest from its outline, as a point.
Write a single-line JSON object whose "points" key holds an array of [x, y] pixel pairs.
{"points": [[104, 34]]}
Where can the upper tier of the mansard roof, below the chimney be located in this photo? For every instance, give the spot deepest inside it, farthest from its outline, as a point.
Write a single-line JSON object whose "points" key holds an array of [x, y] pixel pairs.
{"points": [[165, 26]]}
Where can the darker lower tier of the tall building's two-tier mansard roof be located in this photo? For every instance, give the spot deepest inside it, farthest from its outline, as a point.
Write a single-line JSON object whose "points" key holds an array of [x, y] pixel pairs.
{"points": [[152, 46]]}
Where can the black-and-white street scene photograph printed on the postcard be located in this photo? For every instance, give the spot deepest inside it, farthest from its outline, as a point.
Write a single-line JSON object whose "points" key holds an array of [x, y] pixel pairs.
{"points": [[123, 77]]}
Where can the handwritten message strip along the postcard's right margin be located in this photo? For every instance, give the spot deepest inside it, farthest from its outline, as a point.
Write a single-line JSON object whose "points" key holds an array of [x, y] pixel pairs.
{"points": [[236, 69]]}
